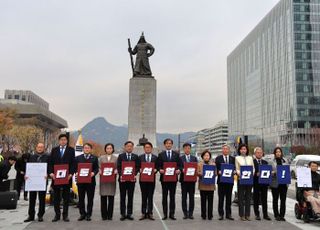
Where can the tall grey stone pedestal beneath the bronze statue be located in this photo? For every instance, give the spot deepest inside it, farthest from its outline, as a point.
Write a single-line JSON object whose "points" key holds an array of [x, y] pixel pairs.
{"points": [[142, 109]]}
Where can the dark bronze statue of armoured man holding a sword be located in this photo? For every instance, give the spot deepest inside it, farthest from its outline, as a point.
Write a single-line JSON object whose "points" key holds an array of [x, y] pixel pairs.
{"points": [[143, 50]]}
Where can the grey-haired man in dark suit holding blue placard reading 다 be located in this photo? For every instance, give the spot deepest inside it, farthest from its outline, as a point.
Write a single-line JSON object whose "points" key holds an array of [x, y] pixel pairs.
{"points": [[260, 191]]}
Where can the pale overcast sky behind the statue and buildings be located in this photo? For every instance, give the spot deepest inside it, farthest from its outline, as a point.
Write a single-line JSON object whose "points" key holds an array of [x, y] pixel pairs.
{"points": [[74, 55]]}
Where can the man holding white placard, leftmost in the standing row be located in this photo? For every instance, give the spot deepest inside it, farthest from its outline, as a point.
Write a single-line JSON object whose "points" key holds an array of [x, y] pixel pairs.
{"points": [[38, 157]]}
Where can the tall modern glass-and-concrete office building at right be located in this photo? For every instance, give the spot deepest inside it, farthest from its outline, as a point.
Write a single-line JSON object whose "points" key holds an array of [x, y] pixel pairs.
{"points": [[274, 77]]}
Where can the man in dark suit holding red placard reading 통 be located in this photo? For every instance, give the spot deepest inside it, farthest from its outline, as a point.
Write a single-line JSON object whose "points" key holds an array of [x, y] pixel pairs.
{"points": [[87, 188]]}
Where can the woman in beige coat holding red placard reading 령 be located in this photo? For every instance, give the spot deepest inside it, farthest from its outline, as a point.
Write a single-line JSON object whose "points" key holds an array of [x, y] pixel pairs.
{"points": [[108, 189]]}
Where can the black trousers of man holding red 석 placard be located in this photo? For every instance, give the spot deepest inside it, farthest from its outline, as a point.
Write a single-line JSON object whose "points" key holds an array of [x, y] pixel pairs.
{"points": [[147, 191]]}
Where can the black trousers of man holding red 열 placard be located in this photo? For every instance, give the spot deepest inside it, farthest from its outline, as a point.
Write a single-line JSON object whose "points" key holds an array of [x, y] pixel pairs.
{"points": [[169, 187]]}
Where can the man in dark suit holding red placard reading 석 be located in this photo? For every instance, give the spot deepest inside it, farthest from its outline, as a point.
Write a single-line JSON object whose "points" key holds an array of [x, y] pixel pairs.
{"points": [[147, 188]]}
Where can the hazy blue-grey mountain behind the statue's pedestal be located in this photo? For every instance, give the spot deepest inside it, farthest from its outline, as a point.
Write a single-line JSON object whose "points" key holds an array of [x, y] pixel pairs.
{"points": [[101, 131]]}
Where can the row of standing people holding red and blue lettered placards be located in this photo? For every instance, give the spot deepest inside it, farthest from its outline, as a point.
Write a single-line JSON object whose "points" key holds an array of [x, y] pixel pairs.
{"points": [[66, 155]]}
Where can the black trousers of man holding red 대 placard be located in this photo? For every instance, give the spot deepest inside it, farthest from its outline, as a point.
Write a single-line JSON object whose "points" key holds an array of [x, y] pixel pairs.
{"points": [[59, 190]]}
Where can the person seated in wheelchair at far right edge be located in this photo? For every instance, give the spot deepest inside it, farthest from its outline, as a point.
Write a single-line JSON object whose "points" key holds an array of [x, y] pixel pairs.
{"points": [[312, 194]]}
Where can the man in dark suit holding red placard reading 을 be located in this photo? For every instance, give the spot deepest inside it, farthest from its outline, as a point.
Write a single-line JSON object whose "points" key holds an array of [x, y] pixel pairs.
{"points": [[188, 186]]}
